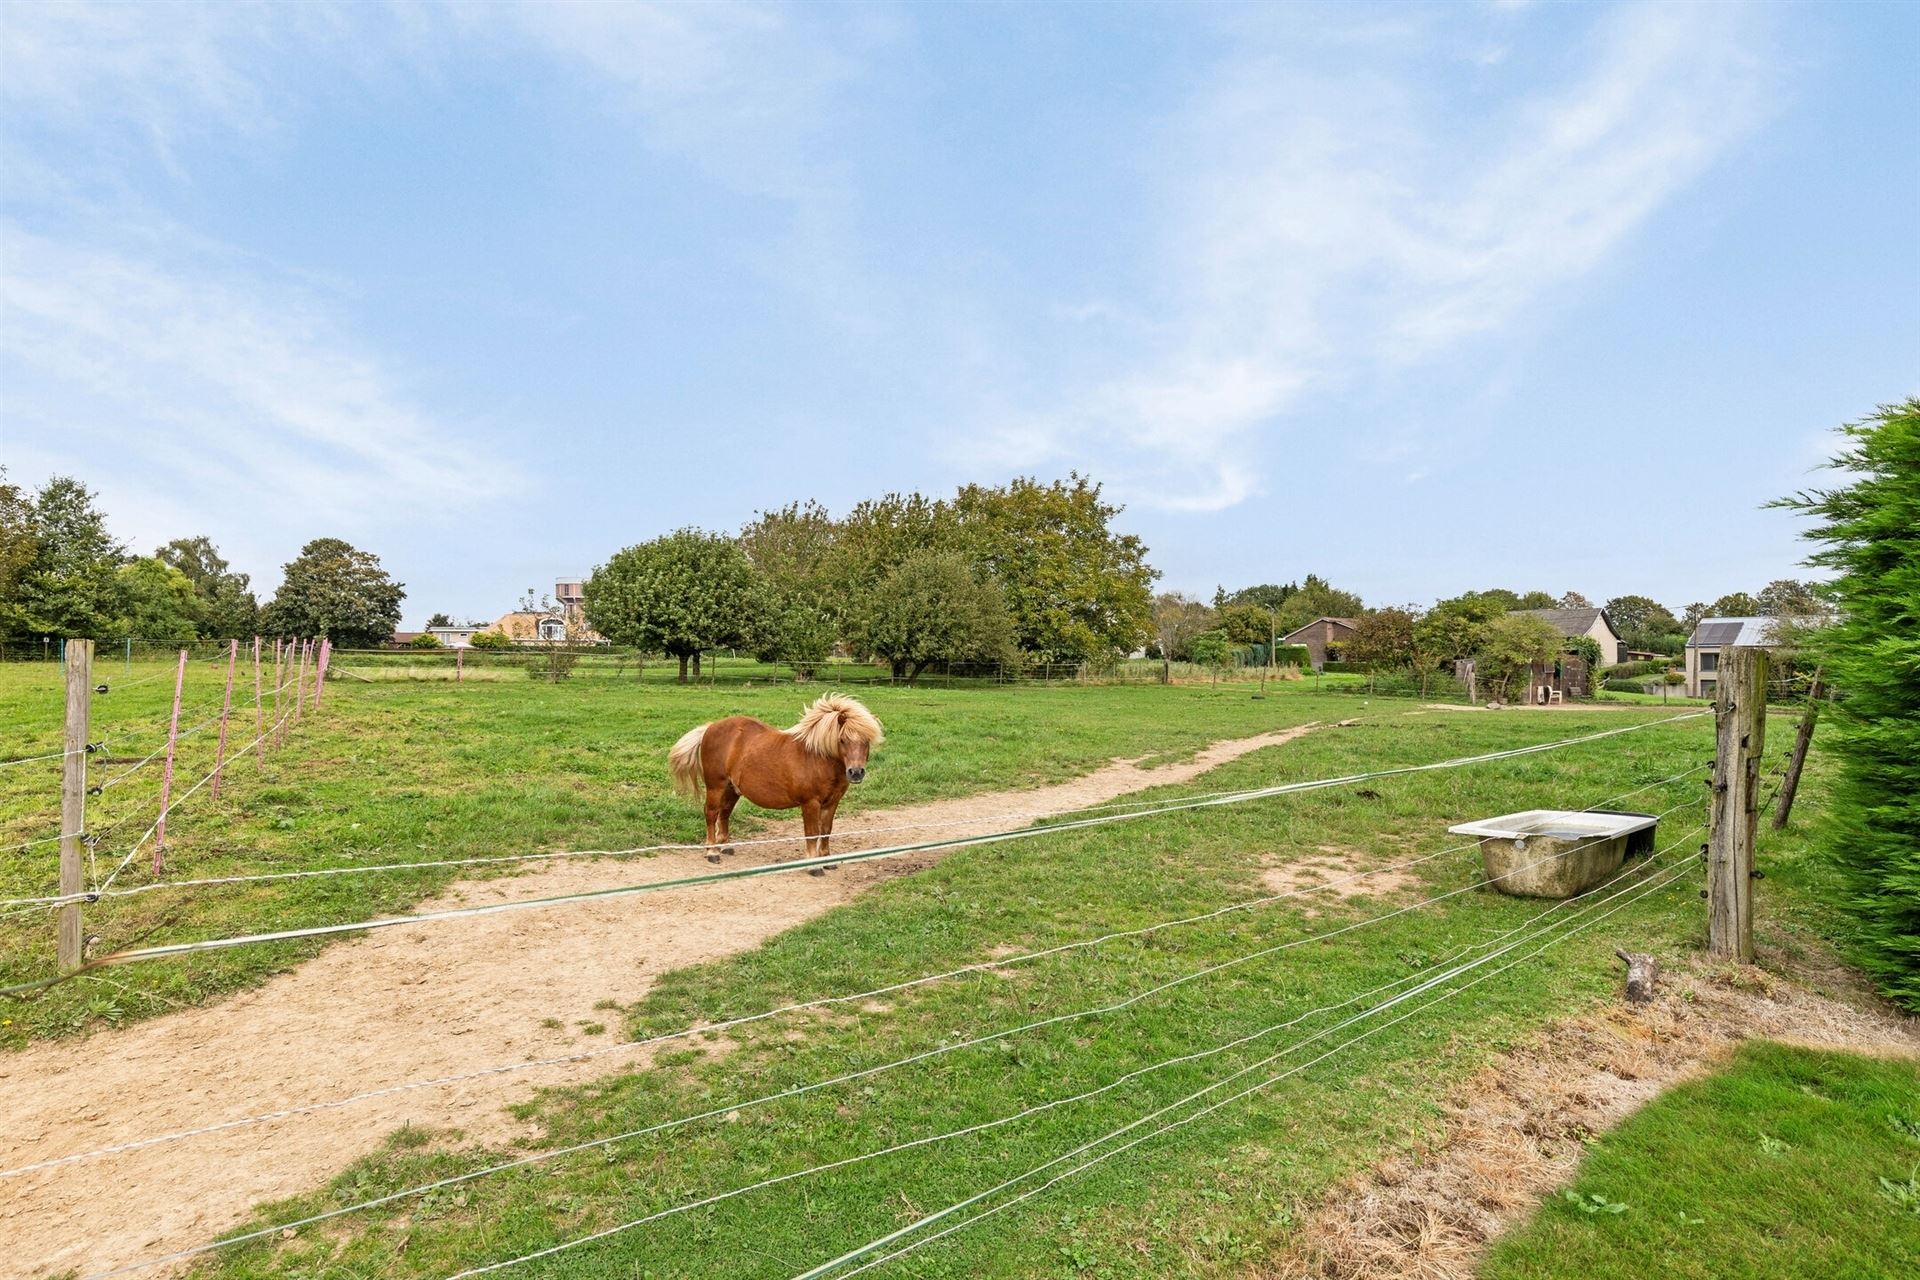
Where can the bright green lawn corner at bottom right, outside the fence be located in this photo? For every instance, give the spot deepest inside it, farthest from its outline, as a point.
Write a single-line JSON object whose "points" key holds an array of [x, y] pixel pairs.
{"points": [[1785, 1164]]}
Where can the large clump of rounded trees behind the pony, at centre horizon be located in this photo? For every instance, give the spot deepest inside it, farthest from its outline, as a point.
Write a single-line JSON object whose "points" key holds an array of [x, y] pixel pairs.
{"points": [[1009, 573]]}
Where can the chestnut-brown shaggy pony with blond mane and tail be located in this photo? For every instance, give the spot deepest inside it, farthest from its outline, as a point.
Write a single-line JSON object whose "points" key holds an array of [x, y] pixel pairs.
{"points": [[807, 767]]}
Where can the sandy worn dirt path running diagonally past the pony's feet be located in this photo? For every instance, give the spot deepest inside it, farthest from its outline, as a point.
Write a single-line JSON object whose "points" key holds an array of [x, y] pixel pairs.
{"points": [[398, 1007]]}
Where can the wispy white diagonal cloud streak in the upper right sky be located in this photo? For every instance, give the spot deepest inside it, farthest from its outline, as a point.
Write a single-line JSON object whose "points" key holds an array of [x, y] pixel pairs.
{"points": [[1332, 227]]}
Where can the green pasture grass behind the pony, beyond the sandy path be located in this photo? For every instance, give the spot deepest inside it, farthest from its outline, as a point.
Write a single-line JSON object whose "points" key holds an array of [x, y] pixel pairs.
{"points": [[408, 772]]}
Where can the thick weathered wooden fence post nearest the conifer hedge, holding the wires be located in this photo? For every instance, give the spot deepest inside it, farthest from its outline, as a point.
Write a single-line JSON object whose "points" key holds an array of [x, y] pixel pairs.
{"points": [[1740, 719]]}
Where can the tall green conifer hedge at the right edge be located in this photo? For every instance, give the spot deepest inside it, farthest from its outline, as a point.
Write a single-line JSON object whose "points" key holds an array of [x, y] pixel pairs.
{"points": [[1871, 534]]}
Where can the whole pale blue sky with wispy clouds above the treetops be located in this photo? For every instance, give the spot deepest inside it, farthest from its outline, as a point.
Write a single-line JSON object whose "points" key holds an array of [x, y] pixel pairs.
{"points": [[1418, 298]]}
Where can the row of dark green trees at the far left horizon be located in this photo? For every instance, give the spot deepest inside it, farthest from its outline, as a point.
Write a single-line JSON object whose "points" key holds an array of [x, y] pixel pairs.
{"points": [[64, 575]]}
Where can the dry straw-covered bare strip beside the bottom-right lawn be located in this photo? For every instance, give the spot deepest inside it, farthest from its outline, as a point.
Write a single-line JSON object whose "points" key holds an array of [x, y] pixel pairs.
{"points": [[1518, 1131]]}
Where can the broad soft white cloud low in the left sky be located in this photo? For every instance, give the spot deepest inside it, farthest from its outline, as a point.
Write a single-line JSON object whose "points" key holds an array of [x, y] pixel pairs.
{"points": [[226, 389]]}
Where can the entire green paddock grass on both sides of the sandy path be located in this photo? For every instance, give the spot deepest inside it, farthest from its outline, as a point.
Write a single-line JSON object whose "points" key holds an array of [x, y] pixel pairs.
{"points": [[402, 770]]}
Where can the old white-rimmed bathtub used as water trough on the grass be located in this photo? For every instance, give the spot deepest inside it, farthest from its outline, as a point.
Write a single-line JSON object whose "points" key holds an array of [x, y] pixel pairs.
{"points": [[1558, 853]]}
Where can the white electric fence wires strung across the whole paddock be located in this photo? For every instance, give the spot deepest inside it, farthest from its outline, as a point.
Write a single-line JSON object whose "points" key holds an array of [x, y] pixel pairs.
{"points": [[1403, 991]]}
